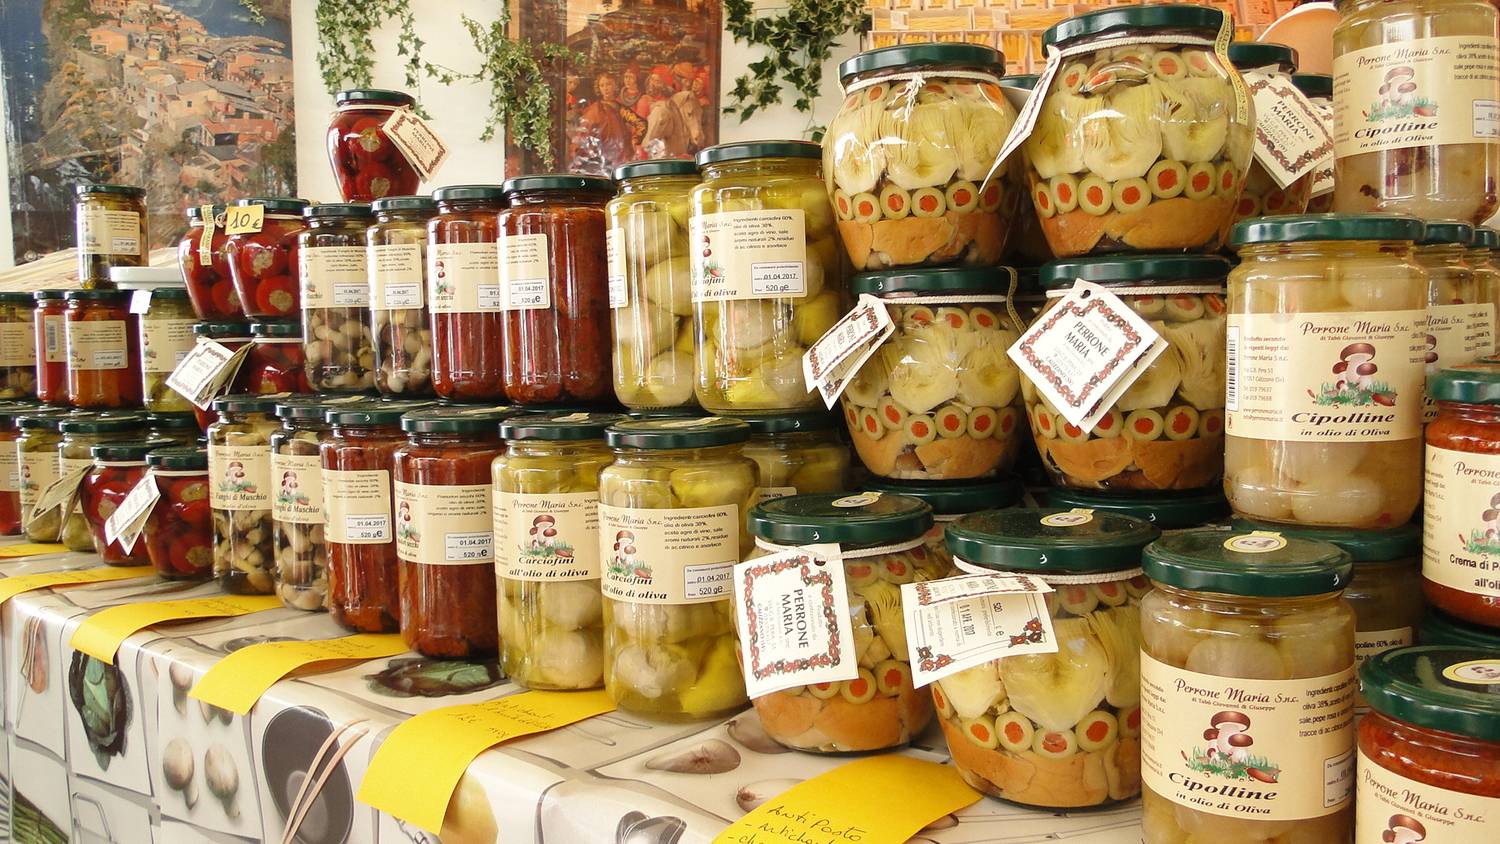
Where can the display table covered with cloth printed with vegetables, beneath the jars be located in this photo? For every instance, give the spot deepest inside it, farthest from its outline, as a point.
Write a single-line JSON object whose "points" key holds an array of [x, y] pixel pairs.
{"points": [[106, 782]]}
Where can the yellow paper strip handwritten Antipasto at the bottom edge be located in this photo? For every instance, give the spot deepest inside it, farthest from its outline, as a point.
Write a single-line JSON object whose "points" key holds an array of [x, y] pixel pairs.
{"points": [[844, 806]]}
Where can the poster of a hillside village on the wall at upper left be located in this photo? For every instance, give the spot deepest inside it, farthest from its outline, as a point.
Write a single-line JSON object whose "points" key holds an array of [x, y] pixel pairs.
{"points": [[190, 98]]}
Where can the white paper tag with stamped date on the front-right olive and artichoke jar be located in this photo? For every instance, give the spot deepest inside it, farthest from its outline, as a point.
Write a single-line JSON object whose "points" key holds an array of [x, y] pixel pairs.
{"points": [[965, 621]]}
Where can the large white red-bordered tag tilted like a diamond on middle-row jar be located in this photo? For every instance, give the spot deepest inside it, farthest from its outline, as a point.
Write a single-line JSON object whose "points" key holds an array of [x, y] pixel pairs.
{"points": [[1087, 350]]}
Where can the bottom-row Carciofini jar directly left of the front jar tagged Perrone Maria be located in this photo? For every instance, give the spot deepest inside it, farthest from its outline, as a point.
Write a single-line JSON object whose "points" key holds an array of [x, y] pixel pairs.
{"points": [[676, 498]]}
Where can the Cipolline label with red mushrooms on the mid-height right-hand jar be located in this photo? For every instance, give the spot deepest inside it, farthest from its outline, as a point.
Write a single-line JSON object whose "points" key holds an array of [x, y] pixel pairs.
{"points": [[1325, 377]]}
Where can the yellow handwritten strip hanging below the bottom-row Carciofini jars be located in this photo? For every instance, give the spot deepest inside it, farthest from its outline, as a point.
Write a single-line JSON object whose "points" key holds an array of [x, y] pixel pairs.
{"points": [[421, 764]]}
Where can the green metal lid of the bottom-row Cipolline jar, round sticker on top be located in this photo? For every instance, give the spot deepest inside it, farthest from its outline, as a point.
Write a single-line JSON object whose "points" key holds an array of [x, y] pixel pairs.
{"points": [[1247, 563]]}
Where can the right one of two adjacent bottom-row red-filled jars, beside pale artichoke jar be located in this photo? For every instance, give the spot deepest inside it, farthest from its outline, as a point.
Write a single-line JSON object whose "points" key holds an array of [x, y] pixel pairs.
{"points": [[445, 534]]}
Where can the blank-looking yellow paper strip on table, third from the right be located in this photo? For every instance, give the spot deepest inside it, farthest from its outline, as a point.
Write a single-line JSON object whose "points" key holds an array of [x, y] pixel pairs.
{"points": [[239, 680]]}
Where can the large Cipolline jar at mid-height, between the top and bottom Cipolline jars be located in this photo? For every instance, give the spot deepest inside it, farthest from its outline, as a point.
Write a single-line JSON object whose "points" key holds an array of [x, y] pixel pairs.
{"points": [[1324, 426]]}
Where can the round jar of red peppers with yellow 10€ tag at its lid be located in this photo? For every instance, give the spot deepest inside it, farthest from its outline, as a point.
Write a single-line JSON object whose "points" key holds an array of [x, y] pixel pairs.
{"points": [[265, 265]]}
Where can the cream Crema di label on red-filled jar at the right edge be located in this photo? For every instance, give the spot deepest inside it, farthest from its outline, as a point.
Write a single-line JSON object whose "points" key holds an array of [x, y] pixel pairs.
{"points": [[1462, 521]]}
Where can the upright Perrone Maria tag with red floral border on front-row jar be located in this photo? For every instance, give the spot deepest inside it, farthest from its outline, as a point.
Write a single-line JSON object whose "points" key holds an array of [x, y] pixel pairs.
{"points": [[793, 612]]}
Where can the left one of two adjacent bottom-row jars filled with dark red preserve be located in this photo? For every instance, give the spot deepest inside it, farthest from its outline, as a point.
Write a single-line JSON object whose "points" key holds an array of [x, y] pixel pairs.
{"points": [[364, 579]]}
